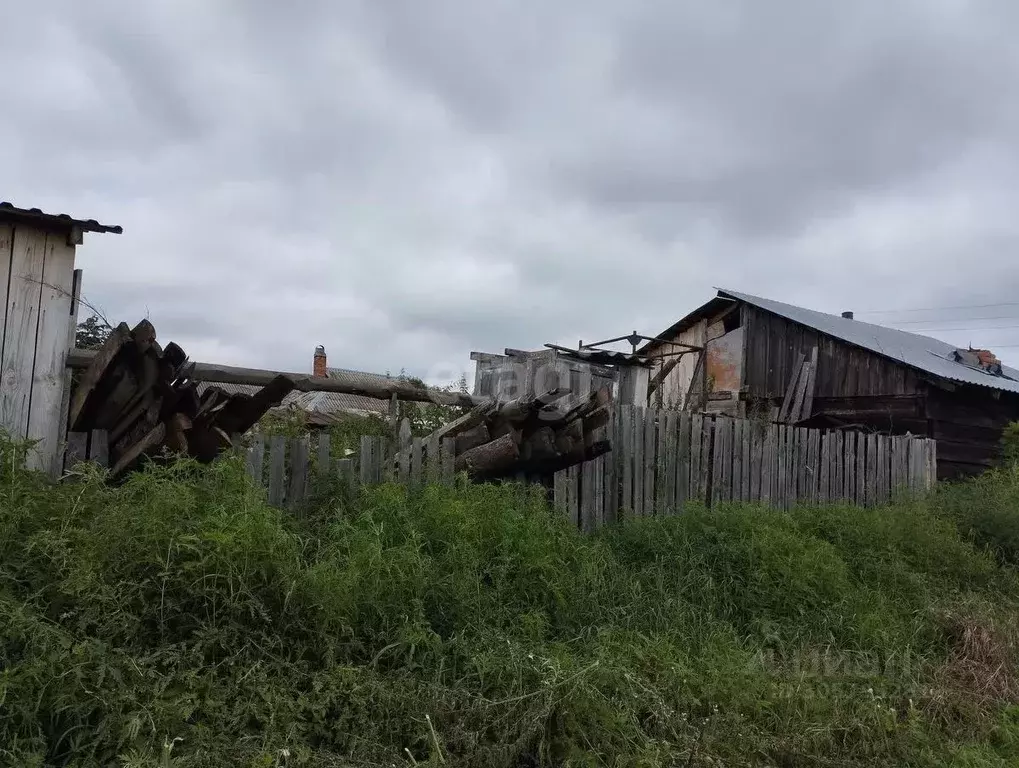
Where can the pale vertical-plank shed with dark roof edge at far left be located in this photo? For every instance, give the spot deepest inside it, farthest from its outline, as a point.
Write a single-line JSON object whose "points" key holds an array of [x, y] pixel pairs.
{"points": [[40, 287]]}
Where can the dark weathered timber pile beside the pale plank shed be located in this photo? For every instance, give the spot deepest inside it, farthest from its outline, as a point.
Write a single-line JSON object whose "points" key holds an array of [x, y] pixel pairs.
{"points": [[144, 397]]}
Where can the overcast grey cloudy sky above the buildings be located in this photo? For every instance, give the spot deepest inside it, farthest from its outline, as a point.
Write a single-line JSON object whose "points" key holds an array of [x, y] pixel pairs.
{"points": [[405, 182]]}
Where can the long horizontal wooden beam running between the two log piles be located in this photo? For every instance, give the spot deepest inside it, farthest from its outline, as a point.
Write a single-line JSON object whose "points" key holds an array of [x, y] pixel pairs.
{"points": [[211, 372]]}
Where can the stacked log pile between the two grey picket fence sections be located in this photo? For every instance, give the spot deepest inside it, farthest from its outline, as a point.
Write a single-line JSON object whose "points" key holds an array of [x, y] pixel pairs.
{"points": [[533, 435]]}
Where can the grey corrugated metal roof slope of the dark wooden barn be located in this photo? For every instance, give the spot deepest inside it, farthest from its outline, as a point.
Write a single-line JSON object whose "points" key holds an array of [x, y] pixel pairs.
{"points": [[923, 353]]}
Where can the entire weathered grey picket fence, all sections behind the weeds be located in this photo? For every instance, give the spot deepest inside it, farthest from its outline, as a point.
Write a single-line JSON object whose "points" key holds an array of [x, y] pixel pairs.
{"points": [[661, 462]]}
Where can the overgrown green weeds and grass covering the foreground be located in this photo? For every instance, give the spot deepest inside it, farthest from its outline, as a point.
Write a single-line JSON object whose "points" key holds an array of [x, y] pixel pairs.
{"points": [[178, 621]]}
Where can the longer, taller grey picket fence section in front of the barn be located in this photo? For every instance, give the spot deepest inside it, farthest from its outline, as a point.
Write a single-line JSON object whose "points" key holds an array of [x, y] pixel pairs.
{"points": [[665, 460]]}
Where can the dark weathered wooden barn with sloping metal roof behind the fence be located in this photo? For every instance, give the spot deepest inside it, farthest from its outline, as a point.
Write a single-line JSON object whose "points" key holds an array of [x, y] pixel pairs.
{"points": [[744, 356]]}
